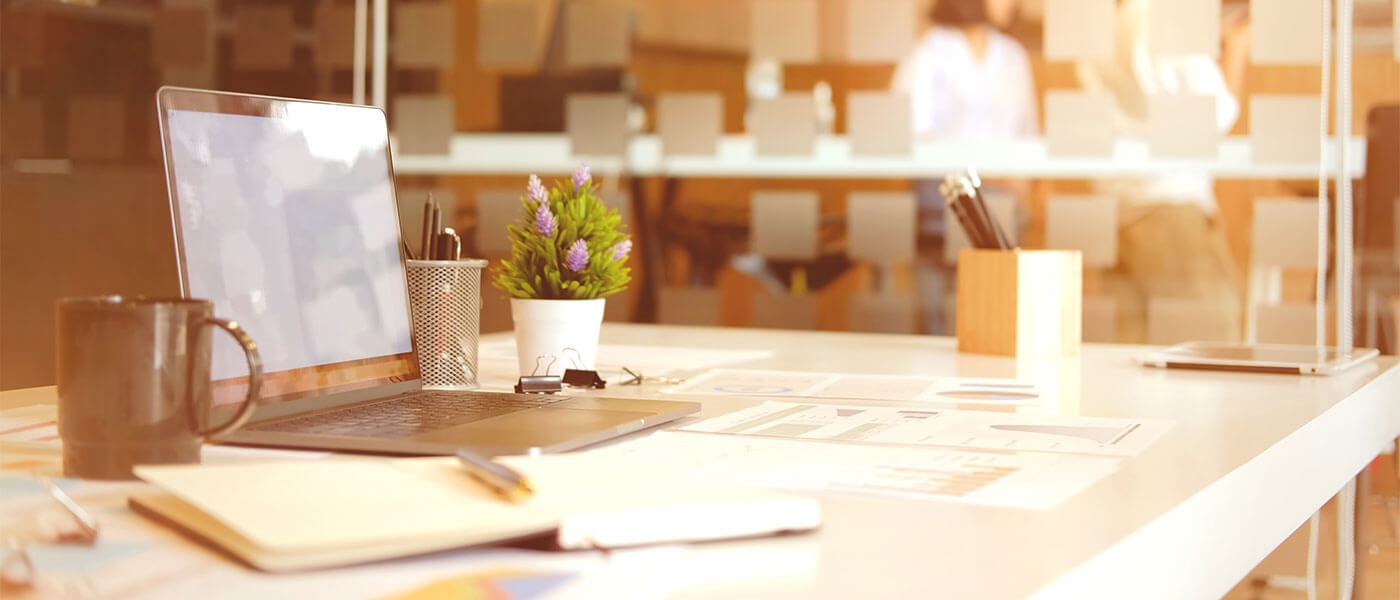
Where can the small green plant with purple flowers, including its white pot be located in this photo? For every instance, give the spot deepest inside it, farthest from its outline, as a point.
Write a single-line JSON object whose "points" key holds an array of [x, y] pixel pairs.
{"points": [[569, 254]]}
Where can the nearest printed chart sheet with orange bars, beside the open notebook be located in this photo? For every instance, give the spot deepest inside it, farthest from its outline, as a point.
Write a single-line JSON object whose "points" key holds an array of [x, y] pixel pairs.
{"points": [[1010, 480]]}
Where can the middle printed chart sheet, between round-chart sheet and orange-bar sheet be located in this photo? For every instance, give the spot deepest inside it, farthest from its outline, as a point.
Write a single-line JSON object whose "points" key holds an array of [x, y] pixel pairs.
{"points": [[933, 427]]}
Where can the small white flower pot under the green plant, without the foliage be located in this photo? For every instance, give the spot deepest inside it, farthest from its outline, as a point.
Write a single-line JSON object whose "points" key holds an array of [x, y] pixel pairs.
{"points": [[552, 329]]}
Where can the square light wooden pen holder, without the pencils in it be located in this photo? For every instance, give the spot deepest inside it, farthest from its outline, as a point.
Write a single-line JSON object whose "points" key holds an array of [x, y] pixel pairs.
{"points": [[1020, 303]]}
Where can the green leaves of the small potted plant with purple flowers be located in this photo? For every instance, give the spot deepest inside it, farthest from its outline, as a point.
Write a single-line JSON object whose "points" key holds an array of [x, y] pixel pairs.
{"points": [[537, 268]]}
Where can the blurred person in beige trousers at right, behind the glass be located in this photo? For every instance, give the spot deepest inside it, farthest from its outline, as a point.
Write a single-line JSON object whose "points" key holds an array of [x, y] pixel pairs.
{"points": [[1171, 240]]}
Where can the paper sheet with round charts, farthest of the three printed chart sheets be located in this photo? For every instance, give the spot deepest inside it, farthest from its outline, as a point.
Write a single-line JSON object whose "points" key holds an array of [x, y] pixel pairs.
{"points": [[849, 387]]}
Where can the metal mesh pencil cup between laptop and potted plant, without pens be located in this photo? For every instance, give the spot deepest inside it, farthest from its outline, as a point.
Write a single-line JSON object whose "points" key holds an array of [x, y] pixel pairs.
{"points": [[446, 300]]}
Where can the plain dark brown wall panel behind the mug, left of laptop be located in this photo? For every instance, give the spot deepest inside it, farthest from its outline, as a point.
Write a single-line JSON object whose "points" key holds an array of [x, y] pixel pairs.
{"points": [[93, 233]]}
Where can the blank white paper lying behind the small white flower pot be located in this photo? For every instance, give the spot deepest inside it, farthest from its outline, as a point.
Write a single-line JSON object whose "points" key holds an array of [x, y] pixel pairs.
{"points": [[647, 360]]}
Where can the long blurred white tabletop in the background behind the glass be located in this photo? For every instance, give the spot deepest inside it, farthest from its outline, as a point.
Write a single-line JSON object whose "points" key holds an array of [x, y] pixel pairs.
{"points": [[551, 153]]}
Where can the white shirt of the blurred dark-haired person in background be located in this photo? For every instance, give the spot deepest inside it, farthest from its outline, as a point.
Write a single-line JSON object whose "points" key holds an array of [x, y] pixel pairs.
{"points": [[957, 96]]}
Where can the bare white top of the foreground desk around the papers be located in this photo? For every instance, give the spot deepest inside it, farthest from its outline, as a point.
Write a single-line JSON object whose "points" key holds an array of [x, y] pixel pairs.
{"points": [[1249, 459]]}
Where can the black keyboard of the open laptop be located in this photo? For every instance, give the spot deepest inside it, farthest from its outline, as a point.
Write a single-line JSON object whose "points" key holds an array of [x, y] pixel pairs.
{"points": [[408, 416]]}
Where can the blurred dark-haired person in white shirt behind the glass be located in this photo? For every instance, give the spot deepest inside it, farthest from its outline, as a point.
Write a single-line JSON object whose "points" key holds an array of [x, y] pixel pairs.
{"points": [[967, 82]]}
